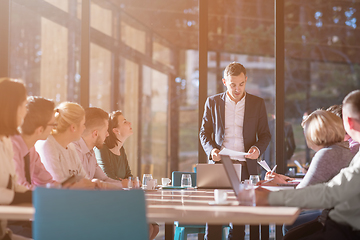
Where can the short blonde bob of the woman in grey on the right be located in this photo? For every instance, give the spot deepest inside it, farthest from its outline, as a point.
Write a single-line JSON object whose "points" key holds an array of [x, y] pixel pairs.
{"points": [[323, 128]]}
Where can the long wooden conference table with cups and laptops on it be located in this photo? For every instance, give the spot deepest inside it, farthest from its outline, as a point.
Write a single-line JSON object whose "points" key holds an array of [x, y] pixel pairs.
{"points": [[192, 206]]}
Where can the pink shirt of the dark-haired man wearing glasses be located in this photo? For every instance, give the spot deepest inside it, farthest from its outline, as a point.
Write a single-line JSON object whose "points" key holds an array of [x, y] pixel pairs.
{"points": [[39, 175]]}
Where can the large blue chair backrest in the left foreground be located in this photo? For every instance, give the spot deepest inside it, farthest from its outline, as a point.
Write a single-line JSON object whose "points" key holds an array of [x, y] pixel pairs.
{"points": [[89, 214]]}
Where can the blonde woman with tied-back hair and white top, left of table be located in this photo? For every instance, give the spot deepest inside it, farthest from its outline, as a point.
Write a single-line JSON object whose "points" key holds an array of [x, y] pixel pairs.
{"points": [[57, 153]]}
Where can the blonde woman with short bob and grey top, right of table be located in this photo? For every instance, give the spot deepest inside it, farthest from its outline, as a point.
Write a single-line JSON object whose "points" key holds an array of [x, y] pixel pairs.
{"points": [[324, 133]]}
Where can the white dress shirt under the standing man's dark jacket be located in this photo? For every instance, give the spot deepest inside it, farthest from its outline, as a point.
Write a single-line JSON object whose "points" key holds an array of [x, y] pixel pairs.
{"points": [[234, 122]]}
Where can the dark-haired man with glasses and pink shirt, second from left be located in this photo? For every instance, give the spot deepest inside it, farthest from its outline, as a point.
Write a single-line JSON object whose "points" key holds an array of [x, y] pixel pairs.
{"points": [[37, 125]]}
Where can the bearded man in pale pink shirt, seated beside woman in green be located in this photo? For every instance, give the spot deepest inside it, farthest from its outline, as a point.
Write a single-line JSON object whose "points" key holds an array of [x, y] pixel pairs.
{"points": [[94, 135]]}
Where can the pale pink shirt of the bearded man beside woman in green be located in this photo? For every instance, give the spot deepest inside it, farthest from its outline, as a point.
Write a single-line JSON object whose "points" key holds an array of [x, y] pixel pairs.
{"points": [[90, 165]]}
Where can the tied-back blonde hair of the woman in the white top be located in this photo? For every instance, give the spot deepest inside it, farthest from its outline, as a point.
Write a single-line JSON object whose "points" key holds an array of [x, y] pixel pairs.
{"points": [[67, 113]]}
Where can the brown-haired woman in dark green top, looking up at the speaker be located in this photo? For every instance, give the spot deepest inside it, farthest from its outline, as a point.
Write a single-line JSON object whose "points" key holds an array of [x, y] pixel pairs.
{"points": [[112, 157]]}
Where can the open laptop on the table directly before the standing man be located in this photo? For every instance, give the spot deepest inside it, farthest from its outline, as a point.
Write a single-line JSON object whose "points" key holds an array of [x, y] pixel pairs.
{"points": [[213, 176]]}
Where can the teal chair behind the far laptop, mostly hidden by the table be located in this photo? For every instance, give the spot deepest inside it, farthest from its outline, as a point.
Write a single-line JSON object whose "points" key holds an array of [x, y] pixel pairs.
{"points": [[182, 230]]}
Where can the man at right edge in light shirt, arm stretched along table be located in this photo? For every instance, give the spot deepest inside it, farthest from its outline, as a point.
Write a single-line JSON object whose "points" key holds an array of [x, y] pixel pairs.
{"points": [[342, 192]]}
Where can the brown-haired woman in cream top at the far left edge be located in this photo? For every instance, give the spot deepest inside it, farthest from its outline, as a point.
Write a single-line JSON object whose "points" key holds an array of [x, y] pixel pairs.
{"points": [[12, 112]]}
